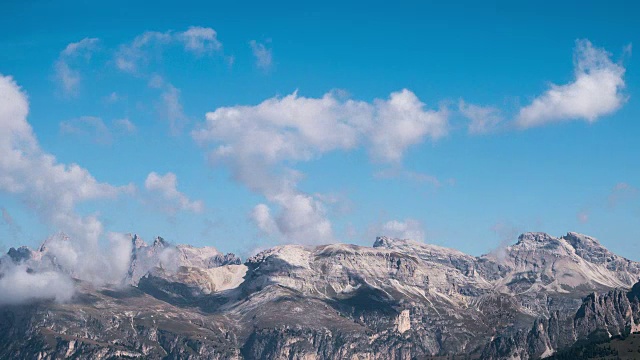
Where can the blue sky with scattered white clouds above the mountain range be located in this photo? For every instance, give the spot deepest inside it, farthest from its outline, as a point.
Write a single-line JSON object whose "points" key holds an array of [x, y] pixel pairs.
{"points": [[515, 118]]}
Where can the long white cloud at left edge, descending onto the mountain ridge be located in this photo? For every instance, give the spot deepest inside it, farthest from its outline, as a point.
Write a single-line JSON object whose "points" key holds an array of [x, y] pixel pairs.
{"points": [[52, 190]]}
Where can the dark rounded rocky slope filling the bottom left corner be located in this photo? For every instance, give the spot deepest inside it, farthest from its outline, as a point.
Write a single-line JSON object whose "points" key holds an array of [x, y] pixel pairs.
{"points": [[124, 324]]}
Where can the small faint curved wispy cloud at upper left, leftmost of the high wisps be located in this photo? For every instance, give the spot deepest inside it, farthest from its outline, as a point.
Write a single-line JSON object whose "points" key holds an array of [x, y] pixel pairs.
{"points": [[69, 78]]}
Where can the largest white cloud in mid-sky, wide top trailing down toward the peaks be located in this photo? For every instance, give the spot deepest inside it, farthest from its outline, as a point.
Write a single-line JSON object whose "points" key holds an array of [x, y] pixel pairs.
{"points": [[260, 142]]}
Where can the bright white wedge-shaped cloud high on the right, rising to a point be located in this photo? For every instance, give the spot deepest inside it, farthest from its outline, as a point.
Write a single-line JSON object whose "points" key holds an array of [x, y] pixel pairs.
{"points": [[595, 92]]}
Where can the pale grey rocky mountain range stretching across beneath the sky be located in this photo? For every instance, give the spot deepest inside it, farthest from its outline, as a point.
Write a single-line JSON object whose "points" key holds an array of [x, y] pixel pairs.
{"points": [[399, 299]]}
